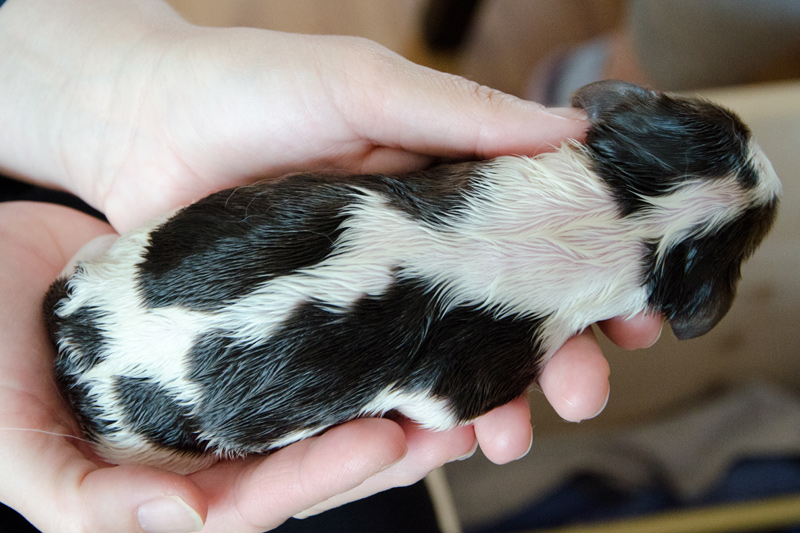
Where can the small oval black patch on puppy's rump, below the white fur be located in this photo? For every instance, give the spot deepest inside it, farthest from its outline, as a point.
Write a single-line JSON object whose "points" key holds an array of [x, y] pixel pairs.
{"points": [[149, 410]]}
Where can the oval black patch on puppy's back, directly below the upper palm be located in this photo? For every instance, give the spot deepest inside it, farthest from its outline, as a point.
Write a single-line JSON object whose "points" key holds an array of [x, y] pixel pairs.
{"points": [[219, 249]]}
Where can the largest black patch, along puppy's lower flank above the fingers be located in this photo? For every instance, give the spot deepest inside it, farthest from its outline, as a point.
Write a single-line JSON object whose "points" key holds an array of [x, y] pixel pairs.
{"points": [[322, 367]]}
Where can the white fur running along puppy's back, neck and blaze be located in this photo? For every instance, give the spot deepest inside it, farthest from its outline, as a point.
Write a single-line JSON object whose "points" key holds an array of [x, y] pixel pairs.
{"points": [[540, 237]]}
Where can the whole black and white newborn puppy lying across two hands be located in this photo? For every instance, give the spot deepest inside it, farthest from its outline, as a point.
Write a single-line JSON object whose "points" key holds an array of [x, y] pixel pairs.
{"points": [[265, 314]]}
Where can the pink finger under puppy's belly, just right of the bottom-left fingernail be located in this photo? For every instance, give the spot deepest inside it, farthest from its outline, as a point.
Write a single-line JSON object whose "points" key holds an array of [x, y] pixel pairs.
{"points": [[256, 495]]}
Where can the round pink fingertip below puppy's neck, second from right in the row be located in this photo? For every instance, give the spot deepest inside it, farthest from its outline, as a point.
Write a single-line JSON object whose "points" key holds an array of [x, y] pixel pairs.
{"points": [[575, 380]]}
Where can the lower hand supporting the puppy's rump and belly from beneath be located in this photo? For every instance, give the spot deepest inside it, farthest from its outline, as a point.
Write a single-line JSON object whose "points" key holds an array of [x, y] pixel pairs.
{"points": [[51, 464]]}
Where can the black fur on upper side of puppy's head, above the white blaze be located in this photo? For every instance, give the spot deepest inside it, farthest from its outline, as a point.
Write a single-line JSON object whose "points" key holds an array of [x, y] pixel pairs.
{"points": [[649, 143]]}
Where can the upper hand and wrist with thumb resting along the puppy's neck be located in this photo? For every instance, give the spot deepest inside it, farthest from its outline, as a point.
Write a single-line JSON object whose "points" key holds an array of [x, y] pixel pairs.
{"points": [[140, 112]]}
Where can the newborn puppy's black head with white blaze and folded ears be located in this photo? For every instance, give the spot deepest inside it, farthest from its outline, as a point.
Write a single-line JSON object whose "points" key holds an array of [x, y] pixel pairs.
{"points": [[689, 173]]}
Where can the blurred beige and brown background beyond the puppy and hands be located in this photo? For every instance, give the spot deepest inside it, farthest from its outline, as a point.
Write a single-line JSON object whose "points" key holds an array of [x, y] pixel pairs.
{"points": [[701, 435]]}
